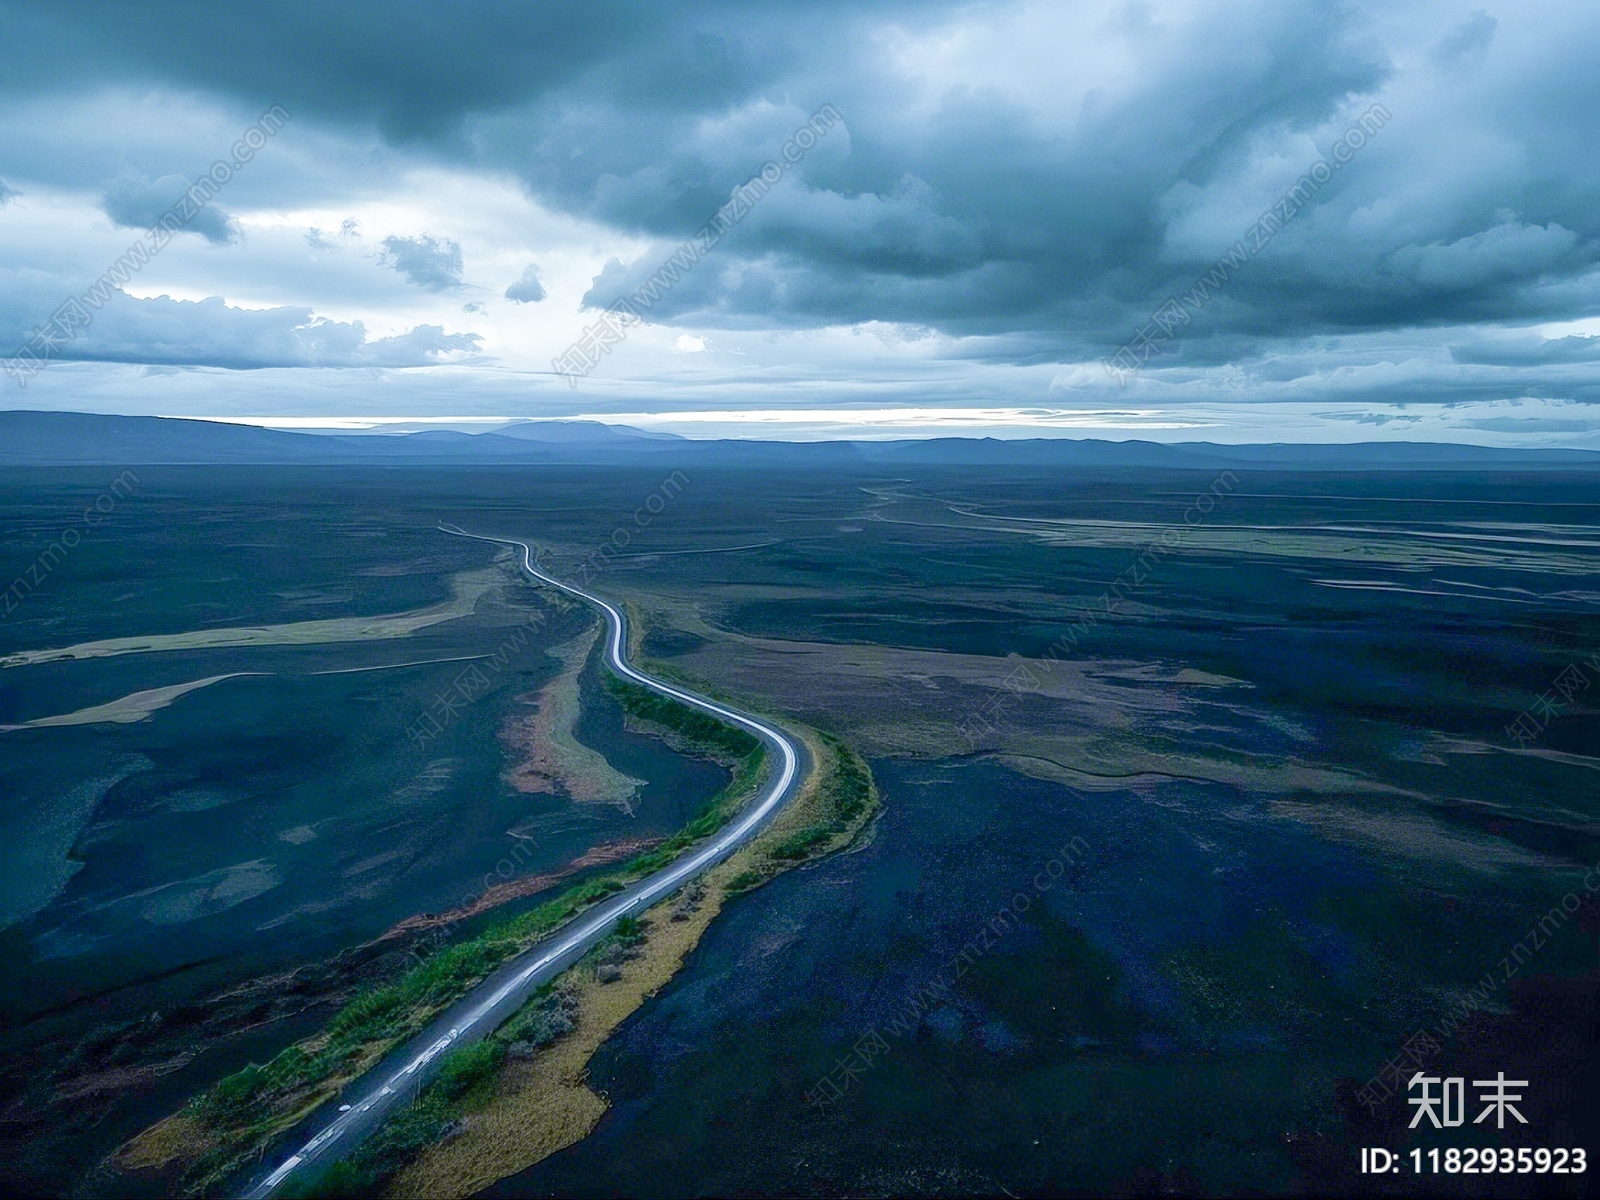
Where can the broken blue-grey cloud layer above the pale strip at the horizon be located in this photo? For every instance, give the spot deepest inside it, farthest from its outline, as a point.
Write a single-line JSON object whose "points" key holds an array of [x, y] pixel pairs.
{"points": [[1025, 183]]}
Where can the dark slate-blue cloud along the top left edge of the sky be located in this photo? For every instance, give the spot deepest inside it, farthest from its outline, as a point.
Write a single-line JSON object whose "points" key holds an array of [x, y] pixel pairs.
{"points": [[414, 70]]}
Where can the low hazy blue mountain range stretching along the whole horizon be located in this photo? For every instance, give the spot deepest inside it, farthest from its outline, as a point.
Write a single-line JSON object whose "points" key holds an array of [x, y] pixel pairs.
{"points": [[87, 439]]}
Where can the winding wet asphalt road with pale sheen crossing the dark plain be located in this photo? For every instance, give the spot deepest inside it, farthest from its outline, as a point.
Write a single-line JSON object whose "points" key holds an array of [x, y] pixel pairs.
{"points": [[498, 998]]}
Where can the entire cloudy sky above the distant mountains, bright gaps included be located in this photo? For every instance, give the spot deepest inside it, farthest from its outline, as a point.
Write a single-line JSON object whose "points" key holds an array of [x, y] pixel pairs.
{"points": [[1012, 194]]}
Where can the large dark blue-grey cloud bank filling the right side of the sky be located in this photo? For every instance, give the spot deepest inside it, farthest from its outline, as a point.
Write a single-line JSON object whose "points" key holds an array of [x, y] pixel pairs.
{"points": [[977, 210]]}
